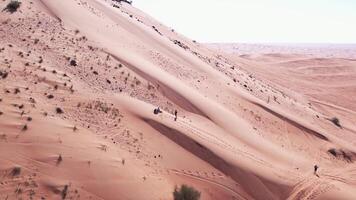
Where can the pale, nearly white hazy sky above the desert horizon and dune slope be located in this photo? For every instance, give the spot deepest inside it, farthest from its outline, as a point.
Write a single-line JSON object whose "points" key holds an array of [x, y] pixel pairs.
{"points": [[291, 21]]}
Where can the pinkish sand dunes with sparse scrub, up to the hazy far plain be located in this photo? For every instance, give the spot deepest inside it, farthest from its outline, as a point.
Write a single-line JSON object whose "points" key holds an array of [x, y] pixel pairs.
{"points": [[80, 80]]}
